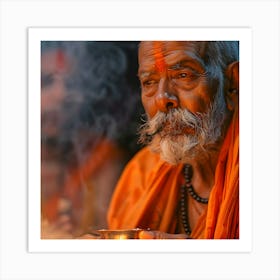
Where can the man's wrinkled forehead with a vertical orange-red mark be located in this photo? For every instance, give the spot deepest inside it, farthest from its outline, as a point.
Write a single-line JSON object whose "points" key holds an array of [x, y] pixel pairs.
{"points": [[161, 52]]}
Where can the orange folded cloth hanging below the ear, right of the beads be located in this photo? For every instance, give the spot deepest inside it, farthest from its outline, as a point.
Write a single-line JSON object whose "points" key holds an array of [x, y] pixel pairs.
{"points": [[221, 219]]}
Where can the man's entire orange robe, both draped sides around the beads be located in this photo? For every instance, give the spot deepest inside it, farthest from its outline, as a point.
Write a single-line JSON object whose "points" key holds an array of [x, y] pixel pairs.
{"points": [[147, 194]]}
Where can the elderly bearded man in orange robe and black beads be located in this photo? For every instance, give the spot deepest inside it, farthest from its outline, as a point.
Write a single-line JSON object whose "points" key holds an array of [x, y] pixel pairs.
{"points": [[185, 182]]}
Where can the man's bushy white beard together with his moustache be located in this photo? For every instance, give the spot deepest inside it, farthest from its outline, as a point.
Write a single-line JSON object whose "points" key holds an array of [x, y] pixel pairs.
{"points": [[167, 133]]}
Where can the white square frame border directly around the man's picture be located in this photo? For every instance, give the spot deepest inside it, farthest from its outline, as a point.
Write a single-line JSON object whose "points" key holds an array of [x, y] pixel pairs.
{"points": [[243, 35]]}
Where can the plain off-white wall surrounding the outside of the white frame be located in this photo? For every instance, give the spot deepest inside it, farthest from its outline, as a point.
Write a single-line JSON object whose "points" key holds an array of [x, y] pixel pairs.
{"points": [[262, 16]]}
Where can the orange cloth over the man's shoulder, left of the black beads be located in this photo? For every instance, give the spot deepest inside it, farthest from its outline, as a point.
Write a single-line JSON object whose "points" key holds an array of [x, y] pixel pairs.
{"points": [[146, 195]]}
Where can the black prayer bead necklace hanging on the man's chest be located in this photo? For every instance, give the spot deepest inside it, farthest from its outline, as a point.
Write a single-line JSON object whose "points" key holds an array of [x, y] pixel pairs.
{"points": [[185, 189]]}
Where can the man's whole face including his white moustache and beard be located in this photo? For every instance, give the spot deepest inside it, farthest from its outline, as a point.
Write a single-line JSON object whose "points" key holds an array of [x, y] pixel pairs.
{"points": [[178, 94]]}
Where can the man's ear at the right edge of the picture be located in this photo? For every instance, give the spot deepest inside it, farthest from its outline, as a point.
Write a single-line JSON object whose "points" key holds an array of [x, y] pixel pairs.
{"points": [[232, 88]]}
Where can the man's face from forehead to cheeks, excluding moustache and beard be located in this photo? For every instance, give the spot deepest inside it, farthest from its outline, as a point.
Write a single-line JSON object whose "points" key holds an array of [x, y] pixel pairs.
{"points": [[172, 74]]}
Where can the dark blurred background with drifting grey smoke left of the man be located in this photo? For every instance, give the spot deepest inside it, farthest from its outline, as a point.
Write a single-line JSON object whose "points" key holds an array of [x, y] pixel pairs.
{"points": [[90, 112]]}
